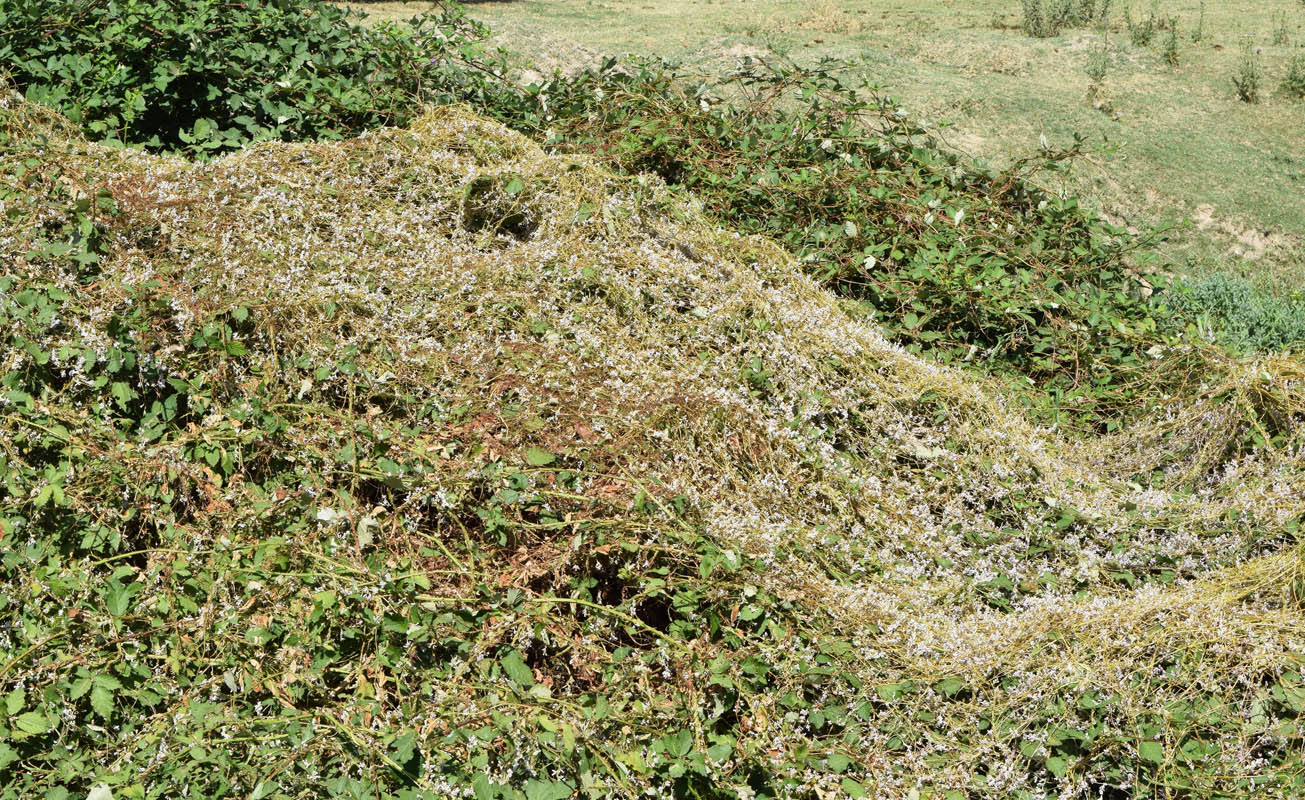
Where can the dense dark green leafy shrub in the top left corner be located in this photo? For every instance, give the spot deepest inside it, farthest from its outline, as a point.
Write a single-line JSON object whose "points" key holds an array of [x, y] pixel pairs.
{"points": [[207, 76]]}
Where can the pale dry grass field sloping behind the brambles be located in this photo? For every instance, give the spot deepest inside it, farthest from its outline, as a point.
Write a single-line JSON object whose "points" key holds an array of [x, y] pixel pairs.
{"points": [[1178, 146]]}
